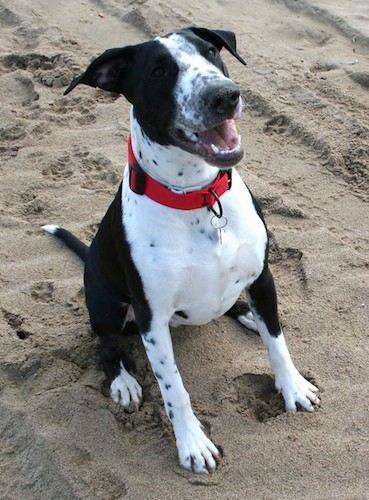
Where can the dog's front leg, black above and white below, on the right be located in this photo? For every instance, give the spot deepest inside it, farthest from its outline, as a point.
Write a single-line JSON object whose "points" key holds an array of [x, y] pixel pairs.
{"points": [[293, 386]]}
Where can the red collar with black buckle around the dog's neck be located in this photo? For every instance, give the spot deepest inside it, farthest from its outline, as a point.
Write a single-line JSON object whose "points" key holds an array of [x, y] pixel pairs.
{"points": [[141, 183]]}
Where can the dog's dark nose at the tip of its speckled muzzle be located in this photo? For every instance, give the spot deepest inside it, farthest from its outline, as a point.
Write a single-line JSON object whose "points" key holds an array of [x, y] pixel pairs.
{"points": [[222, 98]]}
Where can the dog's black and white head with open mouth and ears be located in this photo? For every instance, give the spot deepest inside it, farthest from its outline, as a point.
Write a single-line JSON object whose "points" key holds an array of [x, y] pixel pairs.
{"points": [[180, 90]]}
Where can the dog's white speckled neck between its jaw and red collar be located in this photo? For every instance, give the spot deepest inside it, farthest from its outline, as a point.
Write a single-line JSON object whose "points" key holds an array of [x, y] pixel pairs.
{"points": [[168, 164]]}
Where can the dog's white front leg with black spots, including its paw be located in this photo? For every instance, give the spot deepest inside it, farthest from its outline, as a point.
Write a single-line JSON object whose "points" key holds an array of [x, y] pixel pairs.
{"points": [[196, 451]]}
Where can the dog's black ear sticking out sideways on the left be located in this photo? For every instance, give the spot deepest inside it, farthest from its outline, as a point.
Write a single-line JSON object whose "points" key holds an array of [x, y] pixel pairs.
{"points": [[107, 71]]}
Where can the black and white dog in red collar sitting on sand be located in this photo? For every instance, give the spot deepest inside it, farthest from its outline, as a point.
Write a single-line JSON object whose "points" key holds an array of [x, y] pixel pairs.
{"points": [[184, 236]]}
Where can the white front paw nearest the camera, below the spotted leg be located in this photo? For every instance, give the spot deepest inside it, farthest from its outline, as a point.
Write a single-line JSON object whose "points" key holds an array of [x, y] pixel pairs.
{"points": [[196, 452]]}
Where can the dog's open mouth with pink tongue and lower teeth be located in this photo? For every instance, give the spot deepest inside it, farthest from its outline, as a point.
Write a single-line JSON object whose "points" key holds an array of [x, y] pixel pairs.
{"points": [[220, 146]]}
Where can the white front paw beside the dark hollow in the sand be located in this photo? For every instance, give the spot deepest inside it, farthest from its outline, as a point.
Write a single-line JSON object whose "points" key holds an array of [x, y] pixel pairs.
{"points": [[296, 390]]}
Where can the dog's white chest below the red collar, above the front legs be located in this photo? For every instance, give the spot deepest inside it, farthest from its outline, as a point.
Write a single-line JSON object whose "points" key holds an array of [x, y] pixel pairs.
{"points": [[191, 271]]}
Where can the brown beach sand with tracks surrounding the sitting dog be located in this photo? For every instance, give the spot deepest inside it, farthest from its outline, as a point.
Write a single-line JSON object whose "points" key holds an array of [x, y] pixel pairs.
{"points": [[305, 128]]}
